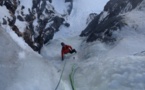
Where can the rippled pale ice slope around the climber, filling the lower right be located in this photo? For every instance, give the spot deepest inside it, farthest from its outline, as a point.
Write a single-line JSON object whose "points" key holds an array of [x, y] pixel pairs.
{"points": [[101, 66]]}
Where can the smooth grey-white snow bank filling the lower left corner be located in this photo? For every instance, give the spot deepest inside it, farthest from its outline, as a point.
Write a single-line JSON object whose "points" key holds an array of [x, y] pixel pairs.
{"points": [[21, 68]]}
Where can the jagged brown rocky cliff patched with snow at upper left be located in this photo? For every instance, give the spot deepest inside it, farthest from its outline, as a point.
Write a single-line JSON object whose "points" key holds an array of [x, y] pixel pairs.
{"points": [[39, 20]]}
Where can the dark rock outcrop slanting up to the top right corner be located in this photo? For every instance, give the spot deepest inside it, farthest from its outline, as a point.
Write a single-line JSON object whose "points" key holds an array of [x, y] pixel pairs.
{"points": [[102, 29]]}
